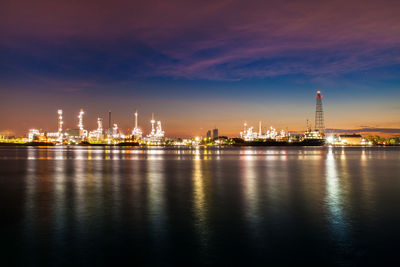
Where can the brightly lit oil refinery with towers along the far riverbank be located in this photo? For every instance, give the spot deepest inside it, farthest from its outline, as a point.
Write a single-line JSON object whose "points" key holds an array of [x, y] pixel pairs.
{"points": [[250, 135]]}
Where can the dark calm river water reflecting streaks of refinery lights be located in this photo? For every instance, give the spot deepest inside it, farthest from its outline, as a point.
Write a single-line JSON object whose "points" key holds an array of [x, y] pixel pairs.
{"points": [[228, 206]]}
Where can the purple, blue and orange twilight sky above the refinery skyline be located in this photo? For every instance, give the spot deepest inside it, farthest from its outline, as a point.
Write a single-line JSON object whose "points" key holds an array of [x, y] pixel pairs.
{"points": [[200, 64]]}
